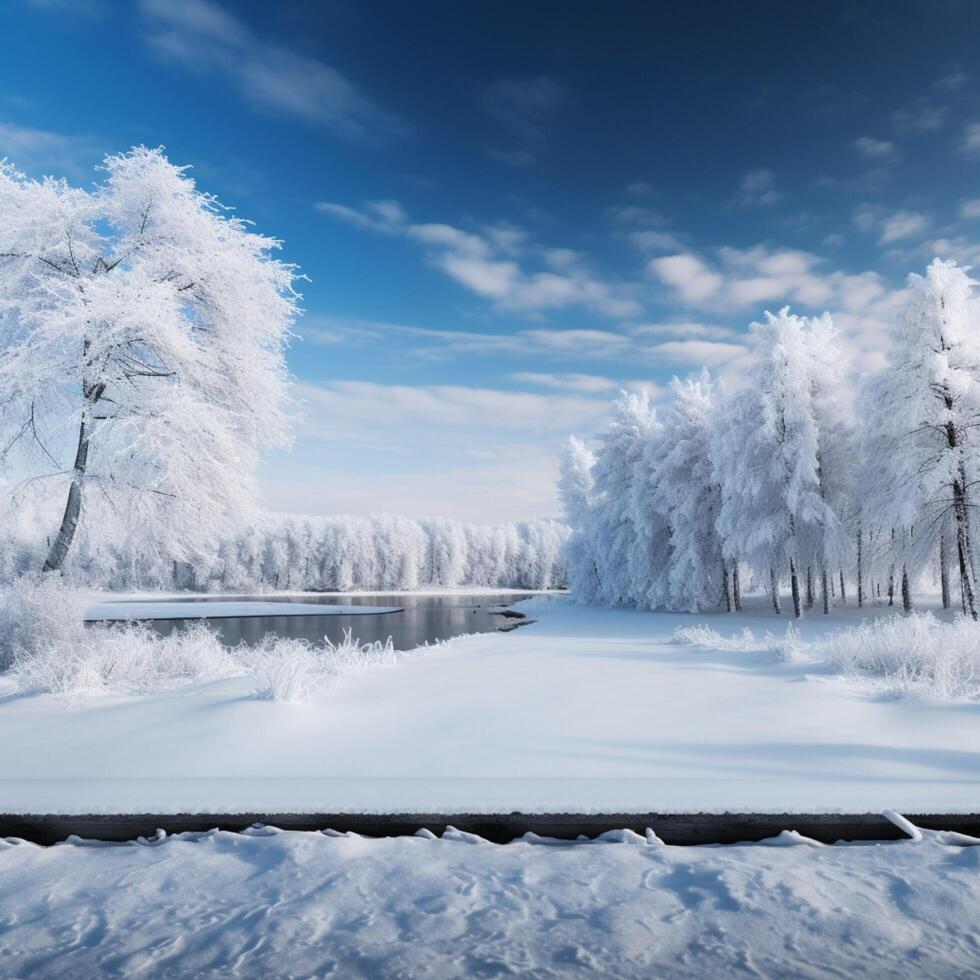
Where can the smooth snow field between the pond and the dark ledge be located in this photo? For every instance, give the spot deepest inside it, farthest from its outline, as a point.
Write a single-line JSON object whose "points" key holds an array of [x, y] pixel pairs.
{"points": [[588, 709]]}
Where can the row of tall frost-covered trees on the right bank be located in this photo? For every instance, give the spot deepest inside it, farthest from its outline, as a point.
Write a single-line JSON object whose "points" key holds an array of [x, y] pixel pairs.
{"points": [[841, 489]]}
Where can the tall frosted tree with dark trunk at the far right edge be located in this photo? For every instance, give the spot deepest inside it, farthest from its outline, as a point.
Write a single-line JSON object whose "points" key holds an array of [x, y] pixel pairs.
{"points": [[923, 438]]}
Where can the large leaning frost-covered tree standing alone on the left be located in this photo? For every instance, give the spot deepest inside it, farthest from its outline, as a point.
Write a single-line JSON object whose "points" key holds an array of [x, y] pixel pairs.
{"points": [[142, 330]]}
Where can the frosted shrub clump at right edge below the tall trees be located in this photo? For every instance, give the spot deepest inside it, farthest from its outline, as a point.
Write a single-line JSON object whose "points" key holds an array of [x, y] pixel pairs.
{"points": [[912, 655]]}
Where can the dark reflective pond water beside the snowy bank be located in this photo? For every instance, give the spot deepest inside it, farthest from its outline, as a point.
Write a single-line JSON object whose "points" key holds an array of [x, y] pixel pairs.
{"points": [[423, 619]]}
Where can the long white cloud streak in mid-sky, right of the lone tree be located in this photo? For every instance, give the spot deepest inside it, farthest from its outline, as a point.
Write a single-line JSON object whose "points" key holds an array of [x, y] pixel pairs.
{"points": [[486, 264]]}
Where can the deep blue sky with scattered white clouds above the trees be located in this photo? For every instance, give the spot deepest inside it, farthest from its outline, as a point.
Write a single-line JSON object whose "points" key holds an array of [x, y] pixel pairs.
{"points": [[508, 211]]}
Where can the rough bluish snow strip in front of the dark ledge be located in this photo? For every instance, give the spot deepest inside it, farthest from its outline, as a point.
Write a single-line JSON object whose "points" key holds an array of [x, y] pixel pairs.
{"points": [[290, 904]]}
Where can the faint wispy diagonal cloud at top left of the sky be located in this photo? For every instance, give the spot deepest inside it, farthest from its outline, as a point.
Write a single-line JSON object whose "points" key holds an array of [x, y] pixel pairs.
{"points": [[203, 36]]}
